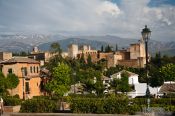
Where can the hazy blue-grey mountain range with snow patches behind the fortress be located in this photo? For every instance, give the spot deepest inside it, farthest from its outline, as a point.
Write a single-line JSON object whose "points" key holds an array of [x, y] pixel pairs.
{"points": [[16, 43]]}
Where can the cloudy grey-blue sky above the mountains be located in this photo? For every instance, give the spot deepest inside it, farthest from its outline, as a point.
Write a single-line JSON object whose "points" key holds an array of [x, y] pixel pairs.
{"points": [[123, 18]]}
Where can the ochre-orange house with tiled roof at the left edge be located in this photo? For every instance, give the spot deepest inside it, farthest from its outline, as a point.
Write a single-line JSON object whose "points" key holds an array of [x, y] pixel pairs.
{"points": [[27, 71]]}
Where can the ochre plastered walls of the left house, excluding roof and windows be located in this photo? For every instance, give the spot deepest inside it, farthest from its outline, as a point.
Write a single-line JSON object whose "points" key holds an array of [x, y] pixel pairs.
{"points": [[33, 79]]}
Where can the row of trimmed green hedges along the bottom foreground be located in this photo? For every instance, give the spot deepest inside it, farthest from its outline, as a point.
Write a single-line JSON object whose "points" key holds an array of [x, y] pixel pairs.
{"points": [[106, 105]]}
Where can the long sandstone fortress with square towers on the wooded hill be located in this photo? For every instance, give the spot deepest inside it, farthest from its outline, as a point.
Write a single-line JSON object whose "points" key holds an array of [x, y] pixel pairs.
{"points": [[134, 56]]}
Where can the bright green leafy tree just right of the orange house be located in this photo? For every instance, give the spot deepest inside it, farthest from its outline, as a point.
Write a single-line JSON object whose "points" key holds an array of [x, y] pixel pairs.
{"points": [[61, 80]]}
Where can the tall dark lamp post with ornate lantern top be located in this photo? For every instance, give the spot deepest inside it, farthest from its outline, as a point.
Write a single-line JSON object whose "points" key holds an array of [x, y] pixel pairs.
{"points": [[146, 33]]}
